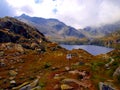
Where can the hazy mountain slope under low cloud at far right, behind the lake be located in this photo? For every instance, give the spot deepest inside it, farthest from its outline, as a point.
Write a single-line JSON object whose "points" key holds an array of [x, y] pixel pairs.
{"points": [[100, 31]]}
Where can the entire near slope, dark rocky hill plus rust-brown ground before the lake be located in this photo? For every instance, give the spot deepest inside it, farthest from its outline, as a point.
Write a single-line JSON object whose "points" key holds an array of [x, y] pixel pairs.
{"points": [[28, 61]]}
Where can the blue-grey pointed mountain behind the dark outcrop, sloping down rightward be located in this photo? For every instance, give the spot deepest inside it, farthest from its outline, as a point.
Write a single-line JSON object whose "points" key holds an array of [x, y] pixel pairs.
{"points": [[53, 29]]}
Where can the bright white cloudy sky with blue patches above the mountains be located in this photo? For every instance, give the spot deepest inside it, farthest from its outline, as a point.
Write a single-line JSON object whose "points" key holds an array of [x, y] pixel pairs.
{"points": [[77, 13]]}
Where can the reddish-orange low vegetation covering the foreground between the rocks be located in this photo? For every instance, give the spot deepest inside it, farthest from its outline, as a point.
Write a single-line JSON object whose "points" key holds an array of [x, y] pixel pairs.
{"points": [[51, 63]]}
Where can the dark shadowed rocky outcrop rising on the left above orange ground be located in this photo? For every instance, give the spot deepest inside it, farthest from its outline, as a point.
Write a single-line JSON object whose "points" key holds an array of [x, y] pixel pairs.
{"points": [[12, 30]]}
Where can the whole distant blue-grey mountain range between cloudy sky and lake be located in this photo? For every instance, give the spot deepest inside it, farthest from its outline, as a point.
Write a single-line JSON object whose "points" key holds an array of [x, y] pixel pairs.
{"points": [[57, 31]]}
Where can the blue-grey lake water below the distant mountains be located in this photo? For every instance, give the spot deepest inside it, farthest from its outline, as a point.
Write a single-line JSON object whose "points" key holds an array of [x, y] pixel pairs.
{"points": [[94, 50]]}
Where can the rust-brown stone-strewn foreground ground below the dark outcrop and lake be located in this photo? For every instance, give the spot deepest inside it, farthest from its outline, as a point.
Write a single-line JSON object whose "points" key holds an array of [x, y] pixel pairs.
{"points": [[25, 69]]}
